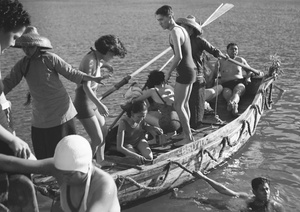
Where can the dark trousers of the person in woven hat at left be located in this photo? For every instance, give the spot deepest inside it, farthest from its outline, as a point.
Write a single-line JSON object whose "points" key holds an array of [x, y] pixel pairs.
{"points": [[44, 140]]}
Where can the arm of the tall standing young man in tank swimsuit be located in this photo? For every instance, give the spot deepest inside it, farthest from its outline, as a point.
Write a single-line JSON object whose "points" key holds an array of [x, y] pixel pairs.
{"points": [[175, 39]]}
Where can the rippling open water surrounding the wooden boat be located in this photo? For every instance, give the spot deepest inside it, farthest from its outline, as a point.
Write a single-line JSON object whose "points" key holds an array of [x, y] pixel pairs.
{"points": [[260, 27]]}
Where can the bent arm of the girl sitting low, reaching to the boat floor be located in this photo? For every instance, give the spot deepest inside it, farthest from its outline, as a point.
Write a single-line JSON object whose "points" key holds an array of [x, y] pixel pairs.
{"points": [[120, 142]]}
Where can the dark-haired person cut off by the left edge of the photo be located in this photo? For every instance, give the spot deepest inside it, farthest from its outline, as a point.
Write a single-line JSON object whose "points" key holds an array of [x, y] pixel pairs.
{"points": [[17, 192]]}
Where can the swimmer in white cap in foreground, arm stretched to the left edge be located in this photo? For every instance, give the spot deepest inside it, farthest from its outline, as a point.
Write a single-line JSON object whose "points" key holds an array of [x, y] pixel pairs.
{"points": [[83, 186]]}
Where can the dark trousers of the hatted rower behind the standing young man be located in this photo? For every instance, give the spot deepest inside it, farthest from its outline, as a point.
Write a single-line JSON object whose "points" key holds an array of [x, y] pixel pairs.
{"points": [[196, 103]]}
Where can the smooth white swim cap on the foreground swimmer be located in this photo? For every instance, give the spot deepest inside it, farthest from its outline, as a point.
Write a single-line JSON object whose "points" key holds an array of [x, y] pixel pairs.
{"points": [[73, 153]]}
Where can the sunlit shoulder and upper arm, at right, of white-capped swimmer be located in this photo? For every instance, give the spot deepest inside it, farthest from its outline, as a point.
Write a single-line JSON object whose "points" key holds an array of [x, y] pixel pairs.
{"points": [[104, 198]]}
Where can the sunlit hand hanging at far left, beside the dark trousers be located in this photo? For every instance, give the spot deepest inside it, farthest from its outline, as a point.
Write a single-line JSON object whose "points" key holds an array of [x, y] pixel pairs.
{"points": [[20, 148]]}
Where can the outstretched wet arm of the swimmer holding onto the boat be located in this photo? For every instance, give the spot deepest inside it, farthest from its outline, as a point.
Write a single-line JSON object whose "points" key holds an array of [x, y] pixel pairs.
{"points": [[219, 187]]}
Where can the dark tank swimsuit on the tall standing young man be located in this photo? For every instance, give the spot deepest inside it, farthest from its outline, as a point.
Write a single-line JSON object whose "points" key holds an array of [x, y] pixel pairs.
{"points": [[186, 69]]}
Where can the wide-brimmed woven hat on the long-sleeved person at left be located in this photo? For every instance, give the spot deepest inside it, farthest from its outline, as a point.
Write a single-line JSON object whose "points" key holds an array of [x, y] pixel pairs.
{"points": [[31, 37]]}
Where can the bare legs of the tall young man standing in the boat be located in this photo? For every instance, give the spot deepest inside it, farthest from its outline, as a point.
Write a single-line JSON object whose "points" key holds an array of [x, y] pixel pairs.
{"points": [[182, 95]]}
